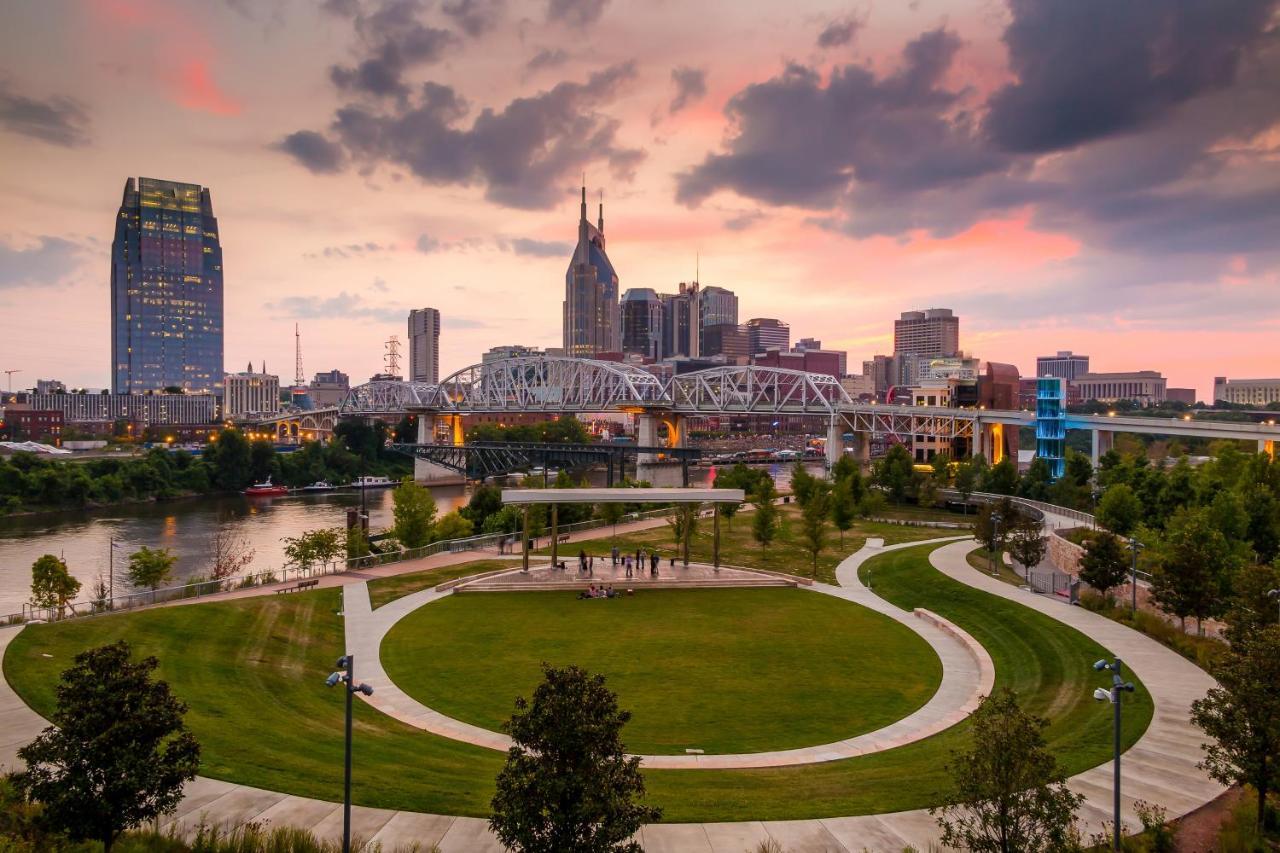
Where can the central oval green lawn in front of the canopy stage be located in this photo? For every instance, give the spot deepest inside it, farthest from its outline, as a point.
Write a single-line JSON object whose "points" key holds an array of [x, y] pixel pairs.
{"points": [[723, 670]]}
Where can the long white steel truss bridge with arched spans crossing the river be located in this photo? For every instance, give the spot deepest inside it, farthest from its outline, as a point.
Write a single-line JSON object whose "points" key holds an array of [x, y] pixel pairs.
{"points": [[557, 385]]}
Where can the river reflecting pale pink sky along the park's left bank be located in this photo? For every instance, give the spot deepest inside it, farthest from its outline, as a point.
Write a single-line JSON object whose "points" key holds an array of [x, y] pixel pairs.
{"points": [[186, 527]]}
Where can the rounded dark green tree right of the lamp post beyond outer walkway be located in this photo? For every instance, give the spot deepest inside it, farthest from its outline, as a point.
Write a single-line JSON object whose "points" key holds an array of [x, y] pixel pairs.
{"points": [[1192, 564]]}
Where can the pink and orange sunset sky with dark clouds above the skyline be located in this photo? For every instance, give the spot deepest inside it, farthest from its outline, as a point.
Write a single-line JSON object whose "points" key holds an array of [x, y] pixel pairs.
{"points": [[1067, 175]]}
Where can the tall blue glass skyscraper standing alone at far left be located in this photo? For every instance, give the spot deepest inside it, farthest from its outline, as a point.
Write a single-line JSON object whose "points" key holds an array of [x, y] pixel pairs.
{"points": [[167, 290]]}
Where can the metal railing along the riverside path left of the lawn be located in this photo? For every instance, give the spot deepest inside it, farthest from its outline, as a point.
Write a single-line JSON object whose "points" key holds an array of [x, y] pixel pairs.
{"points": [[205, 587]]}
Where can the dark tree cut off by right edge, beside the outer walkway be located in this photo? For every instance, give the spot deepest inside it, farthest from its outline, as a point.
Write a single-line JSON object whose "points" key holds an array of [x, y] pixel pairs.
{"points": [[1242, 715]]}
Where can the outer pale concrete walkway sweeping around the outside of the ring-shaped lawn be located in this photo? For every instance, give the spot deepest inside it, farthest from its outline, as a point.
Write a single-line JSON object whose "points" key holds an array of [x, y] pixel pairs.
{"points": [[1160, 767]]}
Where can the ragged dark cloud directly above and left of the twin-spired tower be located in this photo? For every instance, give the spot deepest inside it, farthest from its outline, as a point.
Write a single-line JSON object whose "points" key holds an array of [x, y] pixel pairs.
{"points": [[524, 154]]}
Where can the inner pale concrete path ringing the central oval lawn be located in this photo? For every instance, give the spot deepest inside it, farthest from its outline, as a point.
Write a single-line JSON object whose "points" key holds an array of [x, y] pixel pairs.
{"points": [[968, 674]]}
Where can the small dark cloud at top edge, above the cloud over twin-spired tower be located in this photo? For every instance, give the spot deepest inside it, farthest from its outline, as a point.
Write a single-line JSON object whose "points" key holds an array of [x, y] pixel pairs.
{"points": [[394, 40]]}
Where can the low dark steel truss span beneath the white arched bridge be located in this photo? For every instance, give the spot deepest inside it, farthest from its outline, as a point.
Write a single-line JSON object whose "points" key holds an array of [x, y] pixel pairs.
{"points": [[482, 460]]}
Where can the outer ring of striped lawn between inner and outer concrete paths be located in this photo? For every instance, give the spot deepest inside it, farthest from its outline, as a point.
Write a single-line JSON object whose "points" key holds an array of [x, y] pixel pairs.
{"points": [[253, 672]]}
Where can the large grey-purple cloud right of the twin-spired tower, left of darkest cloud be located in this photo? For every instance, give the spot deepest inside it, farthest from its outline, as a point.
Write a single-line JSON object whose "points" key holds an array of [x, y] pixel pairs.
{"points": [[802, 143]]}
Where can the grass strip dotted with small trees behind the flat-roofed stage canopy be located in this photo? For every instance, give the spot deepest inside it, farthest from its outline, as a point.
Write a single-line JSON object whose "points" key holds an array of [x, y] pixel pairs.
{"points": [[739, 549]]}
